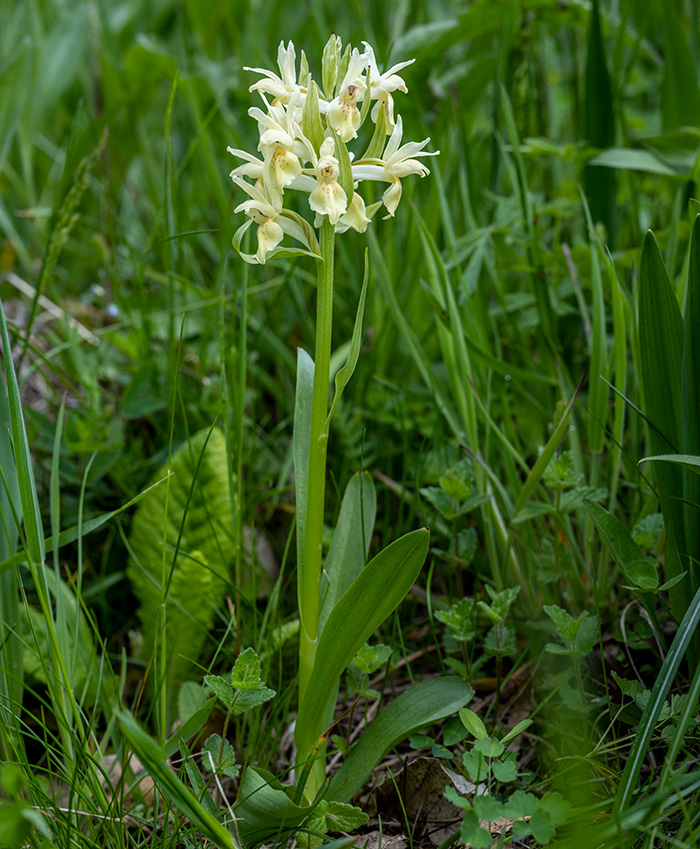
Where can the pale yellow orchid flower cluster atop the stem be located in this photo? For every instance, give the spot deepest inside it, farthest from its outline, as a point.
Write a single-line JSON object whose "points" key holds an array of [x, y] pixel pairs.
{"points": [[304, 135]]}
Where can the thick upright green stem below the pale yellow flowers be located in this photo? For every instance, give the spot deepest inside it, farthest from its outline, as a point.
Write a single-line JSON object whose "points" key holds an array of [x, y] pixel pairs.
{"points": [[309, 576]]}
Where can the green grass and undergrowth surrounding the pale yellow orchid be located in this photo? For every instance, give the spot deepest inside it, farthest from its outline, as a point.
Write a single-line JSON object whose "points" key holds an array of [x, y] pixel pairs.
{"points": [[525, 346]]}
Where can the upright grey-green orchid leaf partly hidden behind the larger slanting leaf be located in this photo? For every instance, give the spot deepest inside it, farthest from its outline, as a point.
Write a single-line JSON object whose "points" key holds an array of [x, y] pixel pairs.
{"points": [[347, 555]]}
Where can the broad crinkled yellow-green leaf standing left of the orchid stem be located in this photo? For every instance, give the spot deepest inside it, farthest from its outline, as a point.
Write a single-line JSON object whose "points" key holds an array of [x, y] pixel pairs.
{"points": [[195, 514]]}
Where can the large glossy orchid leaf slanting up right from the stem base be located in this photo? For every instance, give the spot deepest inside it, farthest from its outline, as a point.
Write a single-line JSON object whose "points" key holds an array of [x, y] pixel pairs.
{"points": [[369, 601]]}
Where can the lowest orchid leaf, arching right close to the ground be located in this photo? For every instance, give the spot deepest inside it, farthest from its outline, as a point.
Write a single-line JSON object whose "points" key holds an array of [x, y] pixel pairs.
{"points": [[424, 704]]}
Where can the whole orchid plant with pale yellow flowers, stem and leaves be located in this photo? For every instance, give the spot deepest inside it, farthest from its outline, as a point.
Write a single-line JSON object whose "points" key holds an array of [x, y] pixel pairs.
{"points": [[306, 136]]}
